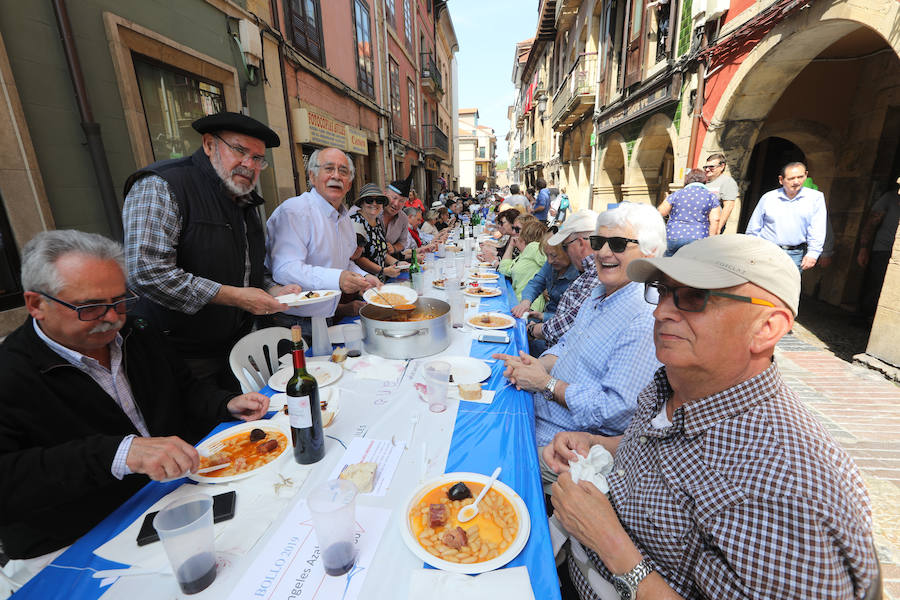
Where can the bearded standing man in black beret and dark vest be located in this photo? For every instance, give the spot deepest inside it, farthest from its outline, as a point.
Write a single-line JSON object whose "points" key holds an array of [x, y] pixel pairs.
{"points": [[194, 243]]}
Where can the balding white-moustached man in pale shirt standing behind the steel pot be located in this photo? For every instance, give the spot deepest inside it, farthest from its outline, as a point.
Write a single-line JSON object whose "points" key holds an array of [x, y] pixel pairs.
{"points": [[311, 240]]}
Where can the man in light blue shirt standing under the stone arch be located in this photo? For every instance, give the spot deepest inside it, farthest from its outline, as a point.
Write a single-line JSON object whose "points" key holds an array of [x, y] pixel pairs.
{"points": [[793, 217]]}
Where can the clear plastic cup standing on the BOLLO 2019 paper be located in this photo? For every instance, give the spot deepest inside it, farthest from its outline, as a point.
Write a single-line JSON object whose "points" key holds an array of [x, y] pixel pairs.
{"points": [[333, 509]]}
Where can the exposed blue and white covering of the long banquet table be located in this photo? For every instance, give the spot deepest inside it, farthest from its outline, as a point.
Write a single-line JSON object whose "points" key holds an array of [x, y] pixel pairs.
{"points": [[469, 436]]}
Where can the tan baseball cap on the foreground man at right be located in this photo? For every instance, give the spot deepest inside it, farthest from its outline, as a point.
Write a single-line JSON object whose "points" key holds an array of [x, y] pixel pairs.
{"points": [[723, 261]]}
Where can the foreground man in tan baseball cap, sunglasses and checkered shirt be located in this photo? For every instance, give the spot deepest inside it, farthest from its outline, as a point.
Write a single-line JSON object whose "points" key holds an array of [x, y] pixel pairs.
{"points": [[724, 485]]}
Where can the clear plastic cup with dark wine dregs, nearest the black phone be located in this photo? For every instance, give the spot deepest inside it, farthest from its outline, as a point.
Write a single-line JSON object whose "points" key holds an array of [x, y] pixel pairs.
{"points": [[185, 528]]}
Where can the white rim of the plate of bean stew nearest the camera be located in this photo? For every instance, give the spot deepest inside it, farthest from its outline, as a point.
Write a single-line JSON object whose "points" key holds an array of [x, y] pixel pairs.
{"points": [[495, 563]]}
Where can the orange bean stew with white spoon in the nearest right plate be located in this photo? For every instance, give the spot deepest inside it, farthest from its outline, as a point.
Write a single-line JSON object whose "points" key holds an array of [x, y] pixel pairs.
{"points": [[488, 535]]}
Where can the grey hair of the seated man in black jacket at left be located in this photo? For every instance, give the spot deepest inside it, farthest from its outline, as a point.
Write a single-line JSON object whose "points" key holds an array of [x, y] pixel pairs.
{"points": [[41, 253]]}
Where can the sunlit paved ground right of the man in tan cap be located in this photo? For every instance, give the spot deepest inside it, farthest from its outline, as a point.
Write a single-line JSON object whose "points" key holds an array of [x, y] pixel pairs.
{"points": [[861, 409]]}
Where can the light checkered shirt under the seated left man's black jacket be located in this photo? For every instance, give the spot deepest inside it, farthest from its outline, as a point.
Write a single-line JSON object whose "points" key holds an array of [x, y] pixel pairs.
{"points": [[114, 382]]}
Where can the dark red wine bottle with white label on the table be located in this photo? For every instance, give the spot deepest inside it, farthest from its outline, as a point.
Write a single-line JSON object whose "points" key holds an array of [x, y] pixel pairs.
{"points": [[304, 410]]}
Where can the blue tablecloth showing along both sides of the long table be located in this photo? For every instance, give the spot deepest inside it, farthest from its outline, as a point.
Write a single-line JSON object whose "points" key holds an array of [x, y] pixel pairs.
{"points": [[484, 436]]}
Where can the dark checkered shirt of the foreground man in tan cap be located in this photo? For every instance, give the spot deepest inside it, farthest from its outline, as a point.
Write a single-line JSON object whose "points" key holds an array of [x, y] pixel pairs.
{"points": [[745, 495]]}
